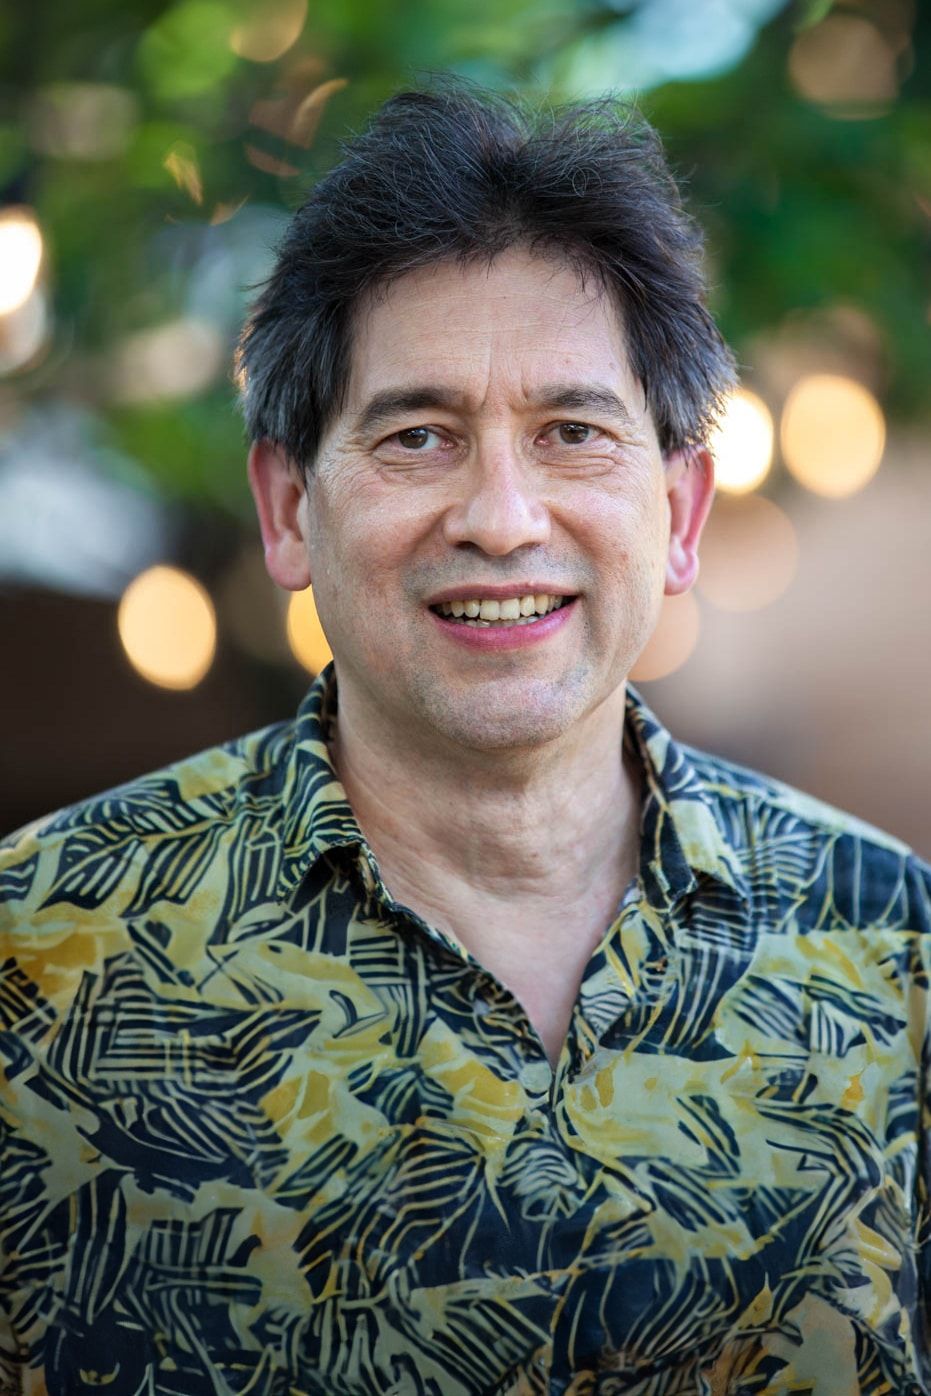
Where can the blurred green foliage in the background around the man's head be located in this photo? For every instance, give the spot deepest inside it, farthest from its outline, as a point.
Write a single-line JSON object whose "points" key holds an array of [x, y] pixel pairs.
{"points": [[807, 207]]}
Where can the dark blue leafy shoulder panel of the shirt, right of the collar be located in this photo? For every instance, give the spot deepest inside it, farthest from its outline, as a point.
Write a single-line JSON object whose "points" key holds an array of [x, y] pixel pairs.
{"points": [[812, 851]]}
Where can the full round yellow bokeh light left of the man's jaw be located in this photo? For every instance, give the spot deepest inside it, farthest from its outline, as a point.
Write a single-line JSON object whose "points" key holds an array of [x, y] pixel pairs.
{"points": [[168, 628]]}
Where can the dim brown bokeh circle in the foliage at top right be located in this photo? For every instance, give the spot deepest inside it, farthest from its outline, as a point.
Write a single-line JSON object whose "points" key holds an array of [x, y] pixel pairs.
{"points": [[845, 62]]}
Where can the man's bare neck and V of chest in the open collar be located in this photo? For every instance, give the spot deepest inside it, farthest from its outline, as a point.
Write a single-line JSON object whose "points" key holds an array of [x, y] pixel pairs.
{"points": [[523, 856]]}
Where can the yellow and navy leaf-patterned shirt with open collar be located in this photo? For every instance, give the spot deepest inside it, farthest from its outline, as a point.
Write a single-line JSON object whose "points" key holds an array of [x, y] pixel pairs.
{"points": [[266, 1131]]}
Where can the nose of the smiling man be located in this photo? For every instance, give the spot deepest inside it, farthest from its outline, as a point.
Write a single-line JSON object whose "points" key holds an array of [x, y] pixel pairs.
{"points": [[500, 509]]}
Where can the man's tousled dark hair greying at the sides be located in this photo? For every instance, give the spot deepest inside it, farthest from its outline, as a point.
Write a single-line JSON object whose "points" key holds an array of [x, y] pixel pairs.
{"points": [[459, 174]]}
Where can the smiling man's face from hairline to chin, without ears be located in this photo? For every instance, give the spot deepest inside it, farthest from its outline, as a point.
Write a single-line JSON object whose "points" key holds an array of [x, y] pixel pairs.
{"points": [[493, 447]]}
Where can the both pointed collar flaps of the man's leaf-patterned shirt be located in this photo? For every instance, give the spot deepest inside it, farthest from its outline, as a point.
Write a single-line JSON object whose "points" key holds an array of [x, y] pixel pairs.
{"points": [[682, 833]]}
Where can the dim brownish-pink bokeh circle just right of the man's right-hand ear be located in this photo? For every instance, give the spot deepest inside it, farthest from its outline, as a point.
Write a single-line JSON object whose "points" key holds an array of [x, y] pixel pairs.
{"points": [[749, 554]]}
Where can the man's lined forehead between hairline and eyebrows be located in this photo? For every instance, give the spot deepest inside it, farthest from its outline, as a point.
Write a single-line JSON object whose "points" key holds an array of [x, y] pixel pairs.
{"points": [[484, 329]]}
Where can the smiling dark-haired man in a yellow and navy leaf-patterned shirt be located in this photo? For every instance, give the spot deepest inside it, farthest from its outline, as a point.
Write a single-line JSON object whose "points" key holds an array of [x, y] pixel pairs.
{"points": [[467, 1035]]}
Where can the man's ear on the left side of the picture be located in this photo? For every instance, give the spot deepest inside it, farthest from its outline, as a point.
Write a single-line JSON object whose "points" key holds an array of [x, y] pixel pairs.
{"points": [[281, 500]]}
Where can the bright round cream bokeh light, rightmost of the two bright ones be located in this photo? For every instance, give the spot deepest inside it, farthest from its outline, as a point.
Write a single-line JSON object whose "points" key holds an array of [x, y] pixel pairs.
{"points": [[833, 435]]}
